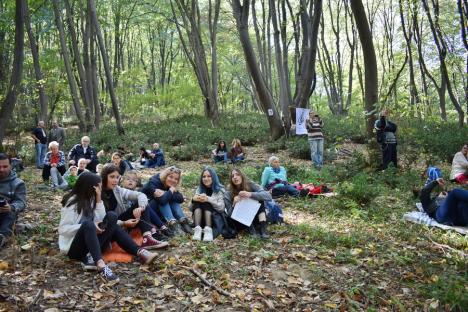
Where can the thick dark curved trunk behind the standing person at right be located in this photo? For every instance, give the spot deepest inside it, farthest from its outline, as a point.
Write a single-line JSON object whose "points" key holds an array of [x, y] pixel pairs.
{"points": [[370, 65]]}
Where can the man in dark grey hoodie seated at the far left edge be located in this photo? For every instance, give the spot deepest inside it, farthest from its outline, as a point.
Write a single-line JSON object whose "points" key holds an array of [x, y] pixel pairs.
{"points": [[12, 198]]}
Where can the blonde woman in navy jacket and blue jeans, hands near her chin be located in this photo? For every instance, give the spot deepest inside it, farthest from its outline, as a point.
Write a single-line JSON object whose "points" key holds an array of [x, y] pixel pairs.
{"points": [[165, 199]]}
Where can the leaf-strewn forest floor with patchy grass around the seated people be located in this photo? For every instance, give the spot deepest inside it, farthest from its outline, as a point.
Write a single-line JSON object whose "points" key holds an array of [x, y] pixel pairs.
{"points": [[324, 259]]}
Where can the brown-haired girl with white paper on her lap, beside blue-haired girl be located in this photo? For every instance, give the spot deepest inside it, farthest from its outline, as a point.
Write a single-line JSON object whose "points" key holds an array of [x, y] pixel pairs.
{"points": [[241, 188]]}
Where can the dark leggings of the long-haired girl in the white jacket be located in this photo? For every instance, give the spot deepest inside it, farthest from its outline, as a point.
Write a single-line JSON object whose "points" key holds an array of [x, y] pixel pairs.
{"points": [[87, 240]]}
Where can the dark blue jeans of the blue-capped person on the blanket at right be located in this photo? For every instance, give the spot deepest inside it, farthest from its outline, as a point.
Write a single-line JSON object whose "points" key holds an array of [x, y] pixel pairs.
{"points": [[454, 209]]}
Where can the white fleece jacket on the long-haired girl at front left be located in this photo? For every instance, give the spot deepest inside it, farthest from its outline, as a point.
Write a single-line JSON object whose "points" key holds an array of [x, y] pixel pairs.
{"points": [[70, 224]]}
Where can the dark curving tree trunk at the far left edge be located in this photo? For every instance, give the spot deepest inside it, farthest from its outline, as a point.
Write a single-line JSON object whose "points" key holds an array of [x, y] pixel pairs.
{"points": [[9, 102]]}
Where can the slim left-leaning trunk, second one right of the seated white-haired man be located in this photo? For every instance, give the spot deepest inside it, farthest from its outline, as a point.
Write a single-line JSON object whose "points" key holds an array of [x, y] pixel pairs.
{"points": [[105, 60]]}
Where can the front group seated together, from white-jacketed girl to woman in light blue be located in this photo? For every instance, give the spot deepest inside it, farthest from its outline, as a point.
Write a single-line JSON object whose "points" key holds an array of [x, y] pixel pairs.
{"points": [[101, 208]]}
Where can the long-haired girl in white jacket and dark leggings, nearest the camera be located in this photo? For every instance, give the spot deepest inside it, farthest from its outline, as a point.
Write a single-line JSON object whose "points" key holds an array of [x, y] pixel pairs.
{"points": [[86, 230]]}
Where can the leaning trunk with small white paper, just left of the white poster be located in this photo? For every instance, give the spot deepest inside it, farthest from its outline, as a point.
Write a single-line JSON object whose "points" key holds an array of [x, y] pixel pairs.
{"points": [[241, 14]]}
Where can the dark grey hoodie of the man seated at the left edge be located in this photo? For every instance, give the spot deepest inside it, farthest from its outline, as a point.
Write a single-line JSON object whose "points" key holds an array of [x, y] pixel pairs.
{"points": [[13, 190]]}
